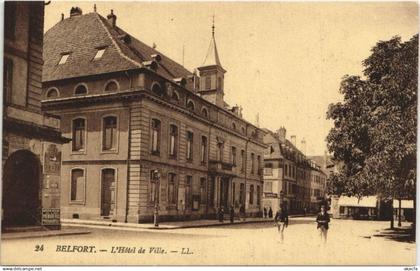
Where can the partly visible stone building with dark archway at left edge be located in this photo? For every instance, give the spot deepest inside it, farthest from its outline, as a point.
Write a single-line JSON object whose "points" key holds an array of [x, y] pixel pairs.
{"points": [[31, 153]]}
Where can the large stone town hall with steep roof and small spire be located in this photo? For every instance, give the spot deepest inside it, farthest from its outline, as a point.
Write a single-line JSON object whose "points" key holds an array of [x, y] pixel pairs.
{"points": [[144, 129]]}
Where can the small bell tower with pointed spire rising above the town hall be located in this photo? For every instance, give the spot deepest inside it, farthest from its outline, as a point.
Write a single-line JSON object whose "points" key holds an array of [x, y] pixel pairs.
{"points": [[212, 75]]}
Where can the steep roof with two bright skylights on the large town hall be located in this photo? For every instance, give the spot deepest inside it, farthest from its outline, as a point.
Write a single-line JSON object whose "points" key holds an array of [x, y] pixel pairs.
{"points": [[82, 35]]}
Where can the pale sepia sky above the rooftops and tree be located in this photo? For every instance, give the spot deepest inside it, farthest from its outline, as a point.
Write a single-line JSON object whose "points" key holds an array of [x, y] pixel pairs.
{"points": [[284, 60]]}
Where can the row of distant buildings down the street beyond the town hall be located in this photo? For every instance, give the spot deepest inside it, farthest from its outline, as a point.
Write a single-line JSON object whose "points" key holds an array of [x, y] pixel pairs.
{"points": [[290, 178]]}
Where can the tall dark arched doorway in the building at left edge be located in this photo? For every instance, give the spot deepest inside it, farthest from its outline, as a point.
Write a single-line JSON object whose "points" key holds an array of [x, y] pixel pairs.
{"points": [[21, 184]]}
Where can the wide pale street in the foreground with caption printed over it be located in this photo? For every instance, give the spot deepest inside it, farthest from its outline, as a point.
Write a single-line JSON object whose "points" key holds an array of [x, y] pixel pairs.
{"points": [[349, 242]]}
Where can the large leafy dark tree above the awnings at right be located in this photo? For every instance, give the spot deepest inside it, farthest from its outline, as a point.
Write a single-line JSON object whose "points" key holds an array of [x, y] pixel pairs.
{"points": [[374, 133]]}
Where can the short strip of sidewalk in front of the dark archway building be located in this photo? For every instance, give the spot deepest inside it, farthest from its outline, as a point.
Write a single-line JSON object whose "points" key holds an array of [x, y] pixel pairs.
{"points": [[42, 233]]}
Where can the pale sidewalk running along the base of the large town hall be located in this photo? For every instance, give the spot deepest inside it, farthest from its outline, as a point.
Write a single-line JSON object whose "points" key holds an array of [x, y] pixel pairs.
{"points": [[166, 225]]}
